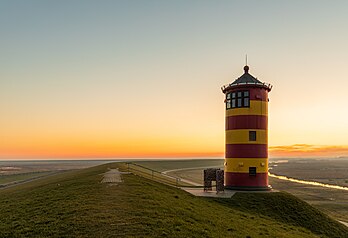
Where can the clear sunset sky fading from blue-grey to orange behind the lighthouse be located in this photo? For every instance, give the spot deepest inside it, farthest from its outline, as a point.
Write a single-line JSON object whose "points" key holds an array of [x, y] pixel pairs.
{"points": [[142, 78]]}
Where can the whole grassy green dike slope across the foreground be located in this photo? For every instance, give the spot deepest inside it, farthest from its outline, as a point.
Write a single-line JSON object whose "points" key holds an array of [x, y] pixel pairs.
{"points": [[77, 204]]}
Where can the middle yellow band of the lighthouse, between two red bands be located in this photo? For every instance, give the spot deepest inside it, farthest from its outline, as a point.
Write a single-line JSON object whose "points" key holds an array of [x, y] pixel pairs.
{"points": [[242, 136]]}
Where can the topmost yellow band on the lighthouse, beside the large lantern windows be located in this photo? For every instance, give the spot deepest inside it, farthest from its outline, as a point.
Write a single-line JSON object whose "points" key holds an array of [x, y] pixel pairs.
{"points": [[256, 108]]}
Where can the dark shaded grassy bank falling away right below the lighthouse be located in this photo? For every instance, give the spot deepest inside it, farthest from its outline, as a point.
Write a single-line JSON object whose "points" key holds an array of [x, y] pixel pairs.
{"points": [[285, 208]]}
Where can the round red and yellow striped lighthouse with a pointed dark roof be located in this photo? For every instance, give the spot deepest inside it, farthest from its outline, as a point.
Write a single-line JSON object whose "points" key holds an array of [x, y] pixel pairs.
{"points": [[246, 158]]}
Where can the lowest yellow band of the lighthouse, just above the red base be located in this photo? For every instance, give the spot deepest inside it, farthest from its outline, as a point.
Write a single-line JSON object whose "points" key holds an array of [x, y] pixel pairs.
{"points": [[241, 165]]}
